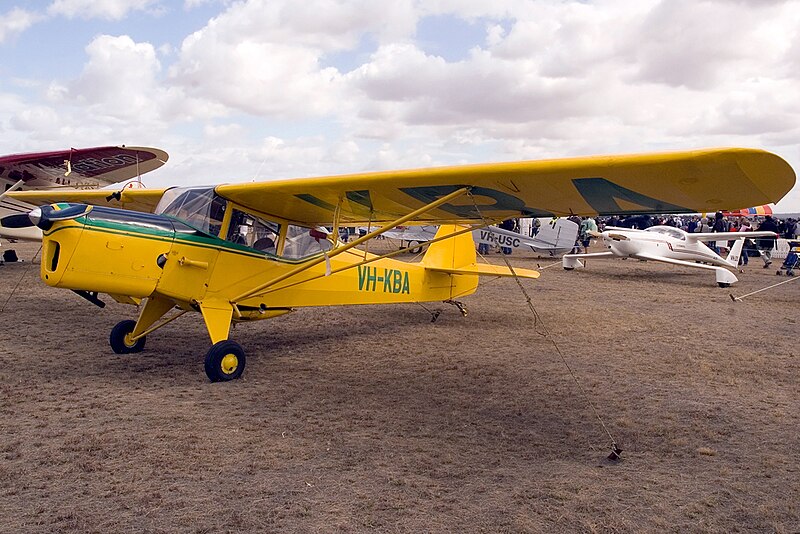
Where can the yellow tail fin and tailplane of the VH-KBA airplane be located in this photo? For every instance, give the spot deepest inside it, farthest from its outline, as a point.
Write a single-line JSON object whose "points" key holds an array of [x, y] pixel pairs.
{"points": [[456, 255]]}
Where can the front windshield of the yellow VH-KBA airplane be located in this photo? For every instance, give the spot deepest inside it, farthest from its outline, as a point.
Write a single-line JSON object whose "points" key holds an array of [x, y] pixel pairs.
{"points": [[200, 207]]}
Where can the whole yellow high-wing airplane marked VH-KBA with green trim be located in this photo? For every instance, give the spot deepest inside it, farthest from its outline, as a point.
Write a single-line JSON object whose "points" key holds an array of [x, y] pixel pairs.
{"points": [[244, 252]]}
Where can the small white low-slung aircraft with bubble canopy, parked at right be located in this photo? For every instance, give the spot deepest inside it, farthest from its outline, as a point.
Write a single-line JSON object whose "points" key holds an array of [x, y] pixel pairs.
{"points": [[670, 245]]}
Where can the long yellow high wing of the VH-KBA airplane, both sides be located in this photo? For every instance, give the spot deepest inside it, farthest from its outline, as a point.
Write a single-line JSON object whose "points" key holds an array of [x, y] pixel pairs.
{"points": [[678, 182]]}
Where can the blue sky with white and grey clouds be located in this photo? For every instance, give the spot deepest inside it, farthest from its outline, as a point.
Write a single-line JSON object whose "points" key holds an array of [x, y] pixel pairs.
{"points": [[249, 90]]}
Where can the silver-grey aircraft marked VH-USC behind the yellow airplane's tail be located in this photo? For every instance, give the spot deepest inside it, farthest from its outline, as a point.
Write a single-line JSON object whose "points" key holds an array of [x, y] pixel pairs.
{"points": [[554, 238]]}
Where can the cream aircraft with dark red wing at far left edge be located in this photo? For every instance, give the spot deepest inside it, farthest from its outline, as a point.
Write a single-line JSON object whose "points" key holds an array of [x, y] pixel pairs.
{"points": [[84, 168]]}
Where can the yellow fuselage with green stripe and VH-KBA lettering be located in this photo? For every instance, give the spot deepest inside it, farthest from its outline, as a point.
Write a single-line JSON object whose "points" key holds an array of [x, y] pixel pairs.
{"points": [[132, 262]]}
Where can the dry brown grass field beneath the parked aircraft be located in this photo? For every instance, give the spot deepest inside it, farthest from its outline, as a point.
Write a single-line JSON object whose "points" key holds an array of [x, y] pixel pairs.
{"points": [[376, 419]]}
